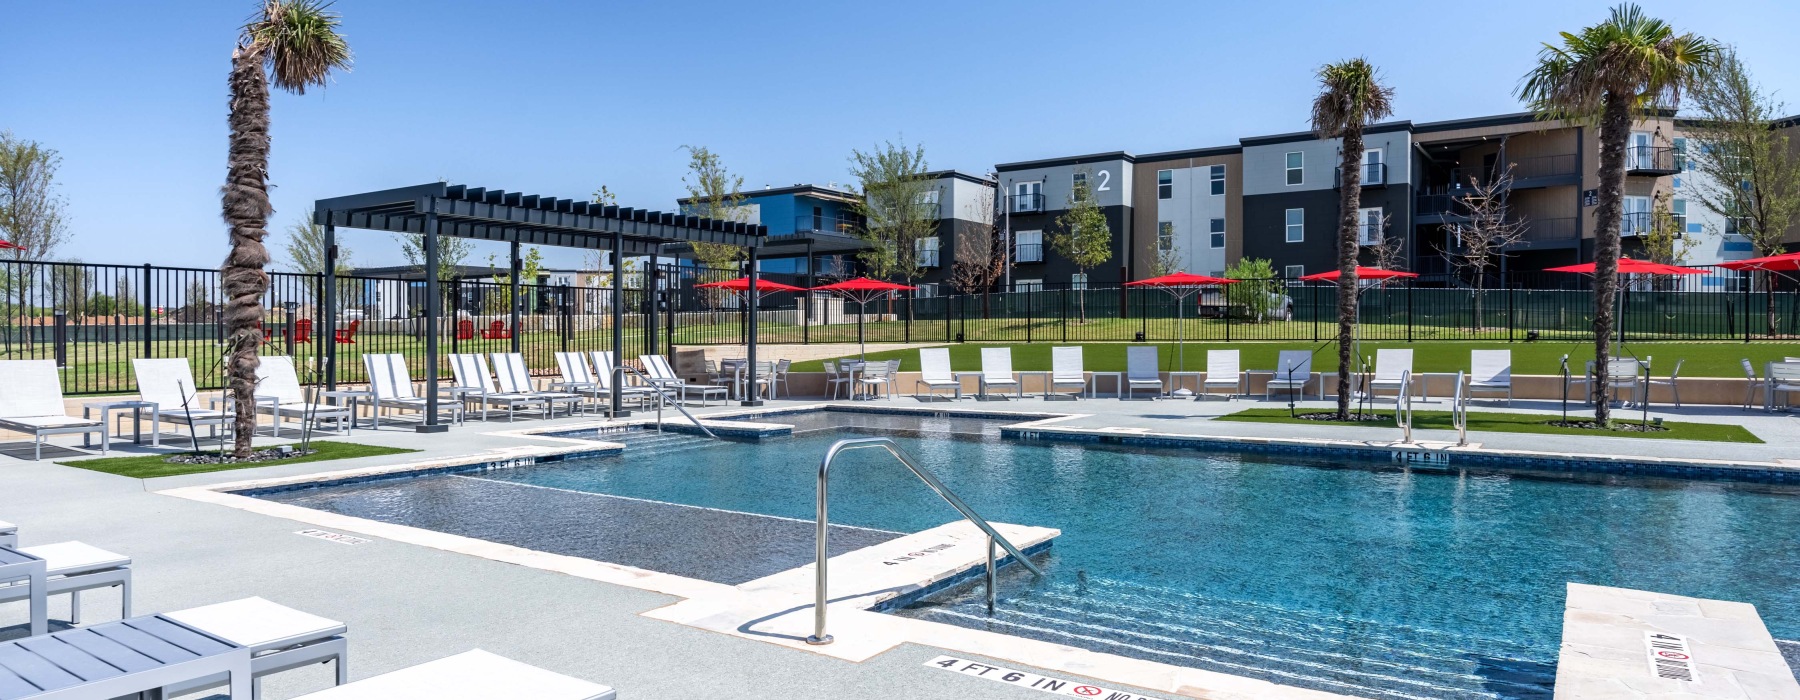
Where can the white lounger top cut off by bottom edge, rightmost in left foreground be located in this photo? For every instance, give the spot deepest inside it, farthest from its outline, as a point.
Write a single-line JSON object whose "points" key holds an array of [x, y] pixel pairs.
{"points": [[469, 676]]}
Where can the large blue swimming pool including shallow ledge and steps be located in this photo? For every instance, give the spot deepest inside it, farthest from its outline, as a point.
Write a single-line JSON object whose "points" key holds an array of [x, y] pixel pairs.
{"points": [[1345, 577]]}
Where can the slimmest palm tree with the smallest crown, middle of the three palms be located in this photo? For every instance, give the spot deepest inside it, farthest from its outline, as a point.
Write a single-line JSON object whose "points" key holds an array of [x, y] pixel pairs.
{"points": [[1351, 94]]}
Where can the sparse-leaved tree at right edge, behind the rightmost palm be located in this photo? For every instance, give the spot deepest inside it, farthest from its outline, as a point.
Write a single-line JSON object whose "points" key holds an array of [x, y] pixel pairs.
{"points": [[1750, 172]]}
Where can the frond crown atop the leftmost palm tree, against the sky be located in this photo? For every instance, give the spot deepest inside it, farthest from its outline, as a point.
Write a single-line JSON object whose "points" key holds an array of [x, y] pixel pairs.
{"points": [[300, 42]]}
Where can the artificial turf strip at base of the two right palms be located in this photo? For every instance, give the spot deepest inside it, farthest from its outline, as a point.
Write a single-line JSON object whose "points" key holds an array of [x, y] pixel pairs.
{"points": [[1497, 422]]}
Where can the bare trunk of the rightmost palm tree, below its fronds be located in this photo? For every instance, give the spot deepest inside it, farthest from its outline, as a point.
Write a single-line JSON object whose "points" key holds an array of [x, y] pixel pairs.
{"points": [[1615, 132]]}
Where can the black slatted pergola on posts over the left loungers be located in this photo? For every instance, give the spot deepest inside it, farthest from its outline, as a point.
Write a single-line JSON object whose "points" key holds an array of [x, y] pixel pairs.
{"points": [[492, 215]]}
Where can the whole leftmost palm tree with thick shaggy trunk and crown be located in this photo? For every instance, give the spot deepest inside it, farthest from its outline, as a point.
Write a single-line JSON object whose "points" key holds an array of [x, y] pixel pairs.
{"points": [[296, 44]]}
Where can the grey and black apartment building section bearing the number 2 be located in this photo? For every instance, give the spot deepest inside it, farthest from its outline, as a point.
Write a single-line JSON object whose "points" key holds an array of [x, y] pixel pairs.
{"points": [[1038, 193]]}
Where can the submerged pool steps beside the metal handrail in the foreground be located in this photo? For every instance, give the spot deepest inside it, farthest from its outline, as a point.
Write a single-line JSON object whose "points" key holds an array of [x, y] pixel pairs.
{"points": [[1288, 647]]}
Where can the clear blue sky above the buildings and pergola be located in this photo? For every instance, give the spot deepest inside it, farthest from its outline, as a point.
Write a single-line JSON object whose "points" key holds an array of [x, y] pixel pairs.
{"points": [[562, 98]]}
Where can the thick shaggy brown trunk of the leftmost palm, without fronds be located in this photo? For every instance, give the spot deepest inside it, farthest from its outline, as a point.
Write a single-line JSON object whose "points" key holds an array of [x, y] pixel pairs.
{"points": [[246, 210]]}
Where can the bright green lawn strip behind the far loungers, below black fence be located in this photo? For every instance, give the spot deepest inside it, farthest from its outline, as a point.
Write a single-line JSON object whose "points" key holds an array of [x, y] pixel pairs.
{"points": [[1704, 359]]}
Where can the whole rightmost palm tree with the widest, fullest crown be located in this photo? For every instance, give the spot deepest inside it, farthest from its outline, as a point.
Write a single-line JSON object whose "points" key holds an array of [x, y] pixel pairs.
{"points": [[1606, 75]]}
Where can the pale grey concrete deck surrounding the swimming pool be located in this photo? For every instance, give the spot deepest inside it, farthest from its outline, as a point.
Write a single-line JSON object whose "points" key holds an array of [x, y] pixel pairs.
{"points": [[408, 604]]}
